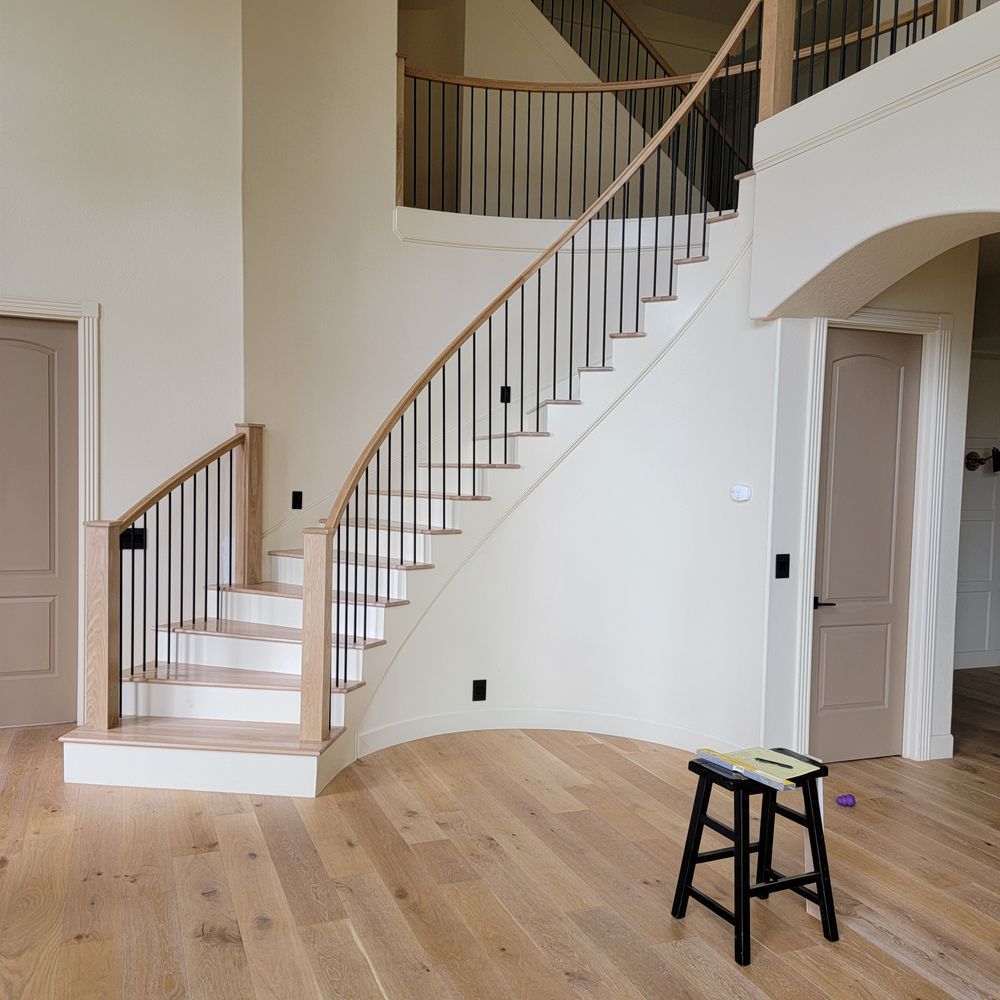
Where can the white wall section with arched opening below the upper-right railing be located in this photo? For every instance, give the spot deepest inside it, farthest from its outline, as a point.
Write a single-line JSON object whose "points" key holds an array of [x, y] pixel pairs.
{"points": [[835, 225]]}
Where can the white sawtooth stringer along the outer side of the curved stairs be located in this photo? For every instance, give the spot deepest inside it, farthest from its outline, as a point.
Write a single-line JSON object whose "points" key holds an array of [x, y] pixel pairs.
{"points": [[600, 392]]}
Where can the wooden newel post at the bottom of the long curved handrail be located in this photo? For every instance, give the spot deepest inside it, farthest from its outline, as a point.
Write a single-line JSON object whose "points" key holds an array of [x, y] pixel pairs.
{"points": [[317, 618]]}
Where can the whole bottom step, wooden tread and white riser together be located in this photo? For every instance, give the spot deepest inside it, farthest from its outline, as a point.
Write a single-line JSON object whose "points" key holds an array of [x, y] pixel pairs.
{"points": [[200, 755]]}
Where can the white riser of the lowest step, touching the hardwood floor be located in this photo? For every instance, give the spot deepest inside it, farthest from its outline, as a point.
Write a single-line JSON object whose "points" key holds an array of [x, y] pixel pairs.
{"points": [[197, 770]]}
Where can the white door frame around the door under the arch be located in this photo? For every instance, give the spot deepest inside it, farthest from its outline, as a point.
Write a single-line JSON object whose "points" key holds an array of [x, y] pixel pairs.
{"points": [[925, 559]]}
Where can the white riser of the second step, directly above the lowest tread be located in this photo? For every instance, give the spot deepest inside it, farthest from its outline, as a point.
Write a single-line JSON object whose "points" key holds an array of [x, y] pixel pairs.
{"points": [[197, 701]]}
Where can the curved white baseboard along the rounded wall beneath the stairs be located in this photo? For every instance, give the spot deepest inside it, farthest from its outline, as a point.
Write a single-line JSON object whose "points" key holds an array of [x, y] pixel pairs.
{"points": [[536, 718]]}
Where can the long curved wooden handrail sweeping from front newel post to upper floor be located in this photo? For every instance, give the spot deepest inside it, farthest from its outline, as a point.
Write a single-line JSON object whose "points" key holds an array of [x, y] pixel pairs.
{"points": [[347, 491]]}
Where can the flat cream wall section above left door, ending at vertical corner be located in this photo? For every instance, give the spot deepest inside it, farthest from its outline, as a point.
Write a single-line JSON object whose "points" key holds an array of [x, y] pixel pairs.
{"points": [[120, 183]]}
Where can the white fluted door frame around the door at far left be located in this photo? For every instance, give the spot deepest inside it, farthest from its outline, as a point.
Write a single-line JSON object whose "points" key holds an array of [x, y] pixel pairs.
{"points": [[87, 316]]}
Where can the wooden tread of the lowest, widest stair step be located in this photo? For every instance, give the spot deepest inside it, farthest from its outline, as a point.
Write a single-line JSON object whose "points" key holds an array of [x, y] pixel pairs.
{"points": [[203, 734]]}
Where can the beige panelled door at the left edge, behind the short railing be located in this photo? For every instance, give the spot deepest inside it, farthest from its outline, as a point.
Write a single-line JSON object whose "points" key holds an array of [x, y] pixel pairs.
{"points": [[38, 521]]}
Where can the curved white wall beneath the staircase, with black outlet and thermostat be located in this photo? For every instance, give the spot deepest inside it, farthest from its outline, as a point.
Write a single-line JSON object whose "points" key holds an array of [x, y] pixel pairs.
{"points": [[625, 592]]}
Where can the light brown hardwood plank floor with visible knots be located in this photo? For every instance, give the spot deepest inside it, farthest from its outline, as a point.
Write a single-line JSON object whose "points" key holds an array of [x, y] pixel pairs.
{"points": [[499, 864]]}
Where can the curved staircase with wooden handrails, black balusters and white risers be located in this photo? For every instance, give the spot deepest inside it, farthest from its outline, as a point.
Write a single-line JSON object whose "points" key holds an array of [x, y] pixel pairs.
{"points": [[212, 668]]}
